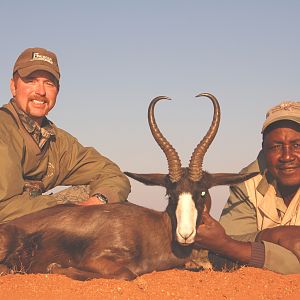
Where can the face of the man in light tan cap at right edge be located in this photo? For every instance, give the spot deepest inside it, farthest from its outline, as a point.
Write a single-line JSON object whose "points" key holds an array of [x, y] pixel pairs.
{"points": [[282, 152]]}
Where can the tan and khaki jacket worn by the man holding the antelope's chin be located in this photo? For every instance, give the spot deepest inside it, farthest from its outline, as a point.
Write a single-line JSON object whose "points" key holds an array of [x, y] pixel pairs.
{"points": [[250, 209]]}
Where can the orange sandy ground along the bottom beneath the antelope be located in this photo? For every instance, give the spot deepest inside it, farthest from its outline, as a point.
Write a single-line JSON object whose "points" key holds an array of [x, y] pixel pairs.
{"points": [[245, 283]]}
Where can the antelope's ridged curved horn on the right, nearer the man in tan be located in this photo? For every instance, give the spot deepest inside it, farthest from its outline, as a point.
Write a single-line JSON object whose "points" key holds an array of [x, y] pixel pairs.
{"points": [[195, 166]]}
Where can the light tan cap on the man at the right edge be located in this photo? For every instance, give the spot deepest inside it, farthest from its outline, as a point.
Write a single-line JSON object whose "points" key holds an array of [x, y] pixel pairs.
{"points": [[287, 110]]}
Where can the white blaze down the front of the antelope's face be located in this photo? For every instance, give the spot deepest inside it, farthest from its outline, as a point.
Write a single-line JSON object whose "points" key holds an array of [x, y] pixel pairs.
{"points": [[186, 214]]}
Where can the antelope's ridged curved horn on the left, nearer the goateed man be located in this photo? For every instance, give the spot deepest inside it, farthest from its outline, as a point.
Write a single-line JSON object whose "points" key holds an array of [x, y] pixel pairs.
{"points": [[174, 163]]}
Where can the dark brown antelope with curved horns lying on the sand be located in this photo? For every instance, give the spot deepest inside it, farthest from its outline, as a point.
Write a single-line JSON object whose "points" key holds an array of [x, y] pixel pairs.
{"points": [[121, 240]]}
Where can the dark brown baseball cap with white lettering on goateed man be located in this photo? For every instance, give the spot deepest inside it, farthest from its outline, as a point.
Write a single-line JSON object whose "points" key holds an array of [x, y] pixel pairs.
{"points": [[37, 59]]}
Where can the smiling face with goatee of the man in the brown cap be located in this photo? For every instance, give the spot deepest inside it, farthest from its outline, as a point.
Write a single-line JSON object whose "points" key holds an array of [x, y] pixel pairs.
{"points": [[35, 94]]}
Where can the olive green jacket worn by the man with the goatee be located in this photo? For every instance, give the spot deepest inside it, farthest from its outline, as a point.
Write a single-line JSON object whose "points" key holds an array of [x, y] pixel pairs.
{"points": [[64, 162]]}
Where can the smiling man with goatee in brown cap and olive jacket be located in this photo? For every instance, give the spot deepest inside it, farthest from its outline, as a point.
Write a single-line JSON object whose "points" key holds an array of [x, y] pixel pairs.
{"points": [[36, 156]]}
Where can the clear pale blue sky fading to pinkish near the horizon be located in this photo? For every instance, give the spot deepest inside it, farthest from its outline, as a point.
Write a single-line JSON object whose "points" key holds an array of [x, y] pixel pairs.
{"points": [[115, 56]]}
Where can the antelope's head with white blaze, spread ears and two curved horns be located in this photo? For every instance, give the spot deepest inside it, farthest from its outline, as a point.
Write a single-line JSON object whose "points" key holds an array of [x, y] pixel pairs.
{"points": [[187, 188]]}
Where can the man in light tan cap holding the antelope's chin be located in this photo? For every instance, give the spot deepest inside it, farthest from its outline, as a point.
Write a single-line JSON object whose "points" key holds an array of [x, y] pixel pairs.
{"points": [[260, 224]]}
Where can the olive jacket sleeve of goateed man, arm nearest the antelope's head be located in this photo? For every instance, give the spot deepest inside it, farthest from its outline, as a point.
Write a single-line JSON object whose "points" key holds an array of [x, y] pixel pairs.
{"points": [[84, 165]]}
